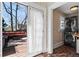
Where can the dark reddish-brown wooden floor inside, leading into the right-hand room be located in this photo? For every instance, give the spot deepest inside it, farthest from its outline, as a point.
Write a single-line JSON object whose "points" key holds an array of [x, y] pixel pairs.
{"points": [[63, 51]]}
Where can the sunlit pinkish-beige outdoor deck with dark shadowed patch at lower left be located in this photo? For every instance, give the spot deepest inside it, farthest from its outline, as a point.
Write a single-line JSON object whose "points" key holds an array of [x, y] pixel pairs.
{"points": [[19, 50]]}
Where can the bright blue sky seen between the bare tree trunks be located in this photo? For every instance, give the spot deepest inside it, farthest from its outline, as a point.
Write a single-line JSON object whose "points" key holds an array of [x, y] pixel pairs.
{"points": [[22, 11]]}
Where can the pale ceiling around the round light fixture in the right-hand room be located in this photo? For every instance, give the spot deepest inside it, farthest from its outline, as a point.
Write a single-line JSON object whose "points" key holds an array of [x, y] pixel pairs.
{"points": [[66, 8]]}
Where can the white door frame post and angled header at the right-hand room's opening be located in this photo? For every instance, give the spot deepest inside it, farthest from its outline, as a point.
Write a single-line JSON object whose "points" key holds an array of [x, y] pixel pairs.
{"points": [[50, 24]]}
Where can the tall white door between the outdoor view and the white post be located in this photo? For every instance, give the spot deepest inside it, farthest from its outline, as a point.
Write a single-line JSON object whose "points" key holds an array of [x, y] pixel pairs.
{"points": [[35, 36]]}
